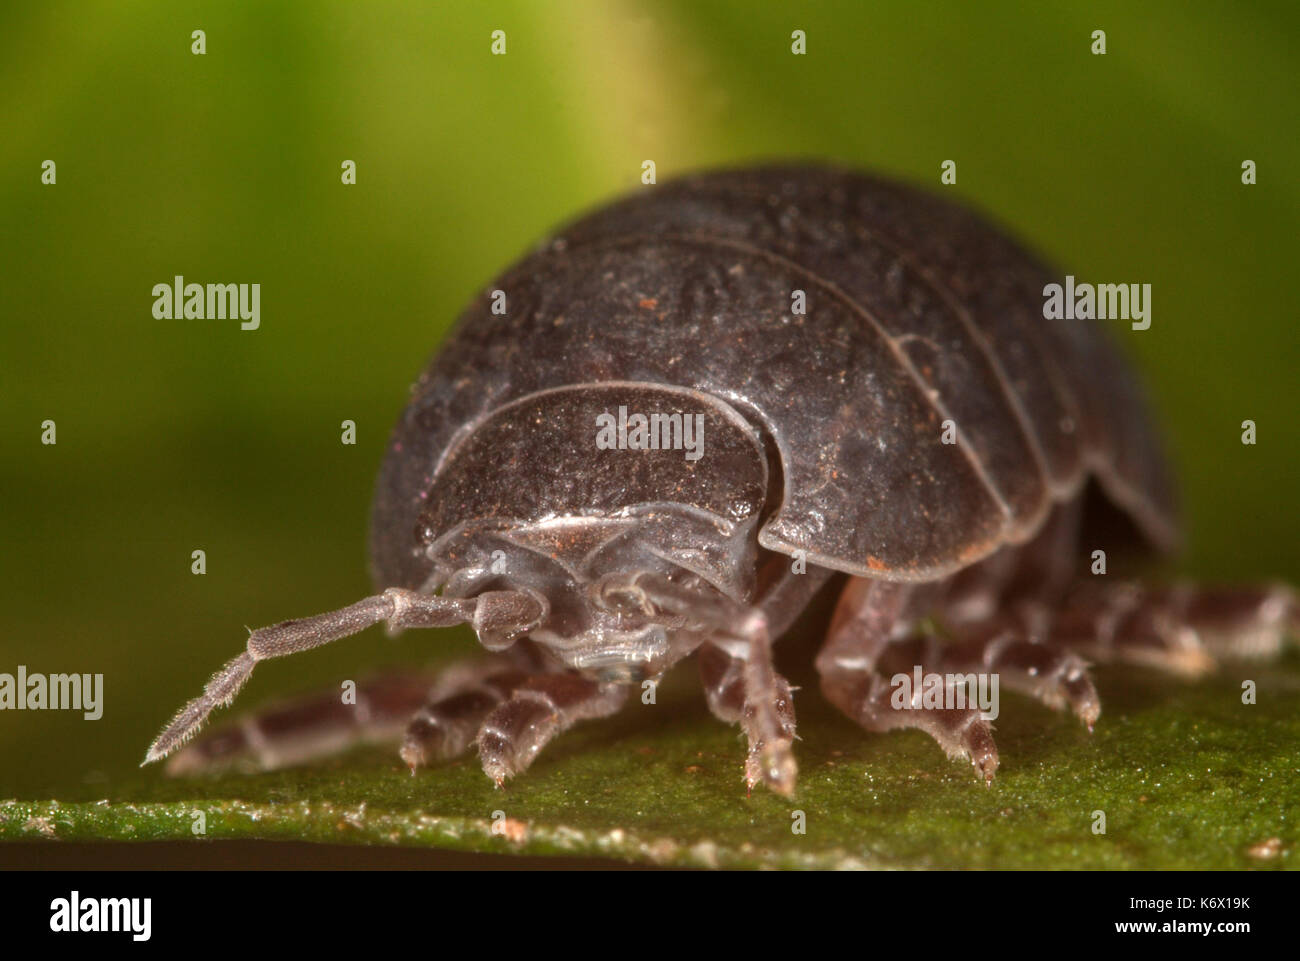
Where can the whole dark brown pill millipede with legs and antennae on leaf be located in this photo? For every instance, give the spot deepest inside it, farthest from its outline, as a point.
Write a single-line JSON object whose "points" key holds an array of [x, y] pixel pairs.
{"points": [[664, 432]]}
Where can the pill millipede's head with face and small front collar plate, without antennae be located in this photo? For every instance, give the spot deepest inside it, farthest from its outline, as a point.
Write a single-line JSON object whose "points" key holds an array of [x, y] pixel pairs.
{"points": [[587, 495]]}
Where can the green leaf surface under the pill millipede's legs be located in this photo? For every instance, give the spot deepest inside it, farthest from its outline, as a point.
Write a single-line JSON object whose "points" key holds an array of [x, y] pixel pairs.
{"points": [[1188, 776]]}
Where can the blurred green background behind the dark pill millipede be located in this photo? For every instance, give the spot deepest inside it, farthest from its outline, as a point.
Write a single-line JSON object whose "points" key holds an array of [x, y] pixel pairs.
{"points": [[188, 435]]}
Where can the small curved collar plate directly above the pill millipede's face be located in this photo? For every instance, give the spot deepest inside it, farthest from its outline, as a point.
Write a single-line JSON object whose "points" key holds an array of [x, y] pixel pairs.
{"points": [[574, 462]]}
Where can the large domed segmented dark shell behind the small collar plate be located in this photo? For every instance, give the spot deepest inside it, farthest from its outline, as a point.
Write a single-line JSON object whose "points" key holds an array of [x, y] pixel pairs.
{"points": [[917, 313]]}
